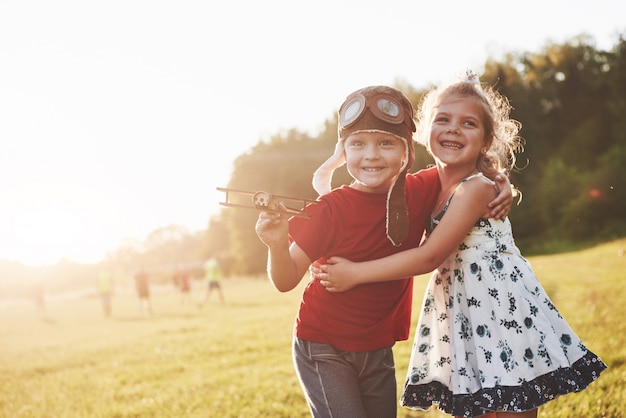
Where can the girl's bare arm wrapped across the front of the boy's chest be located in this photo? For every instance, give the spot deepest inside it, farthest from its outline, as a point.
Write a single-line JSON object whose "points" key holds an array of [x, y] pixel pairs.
{"points": [[469, 204]]}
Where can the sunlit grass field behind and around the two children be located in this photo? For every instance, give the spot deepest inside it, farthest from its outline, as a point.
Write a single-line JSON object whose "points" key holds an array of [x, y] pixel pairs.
{"points": [[234, 360]]}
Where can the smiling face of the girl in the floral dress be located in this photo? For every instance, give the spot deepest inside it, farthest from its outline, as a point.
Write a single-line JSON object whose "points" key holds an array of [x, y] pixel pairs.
{"points": [[457, 133]]}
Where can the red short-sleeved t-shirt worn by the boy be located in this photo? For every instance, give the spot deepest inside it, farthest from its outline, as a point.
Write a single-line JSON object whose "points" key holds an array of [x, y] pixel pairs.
{"points": [[351, 224]]}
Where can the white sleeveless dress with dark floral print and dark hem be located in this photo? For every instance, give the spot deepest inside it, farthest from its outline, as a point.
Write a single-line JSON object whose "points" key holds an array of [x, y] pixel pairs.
{"points": [[488, 337]]}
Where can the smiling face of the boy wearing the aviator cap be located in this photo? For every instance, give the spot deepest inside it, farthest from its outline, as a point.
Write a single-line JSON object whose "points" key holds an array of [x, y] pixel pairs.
{"points": [[374, 160]]}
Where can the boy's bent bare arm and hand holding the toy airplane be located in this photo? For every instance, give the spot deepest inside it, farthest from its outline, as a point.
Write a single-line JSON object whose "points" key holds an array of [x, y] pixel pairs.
{"points": [[286, 264]]}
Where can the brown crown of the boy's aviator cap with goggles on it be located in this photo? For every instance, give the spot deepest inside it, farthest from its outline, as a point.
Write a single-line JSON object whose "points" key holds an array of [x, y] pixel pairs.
{"points": [[378, 109]]}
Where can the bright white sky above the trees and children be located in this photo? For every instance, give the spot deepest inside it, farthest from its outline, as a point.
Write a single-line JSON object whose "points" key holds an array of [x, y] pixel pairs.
{"points": [[119, 117]]}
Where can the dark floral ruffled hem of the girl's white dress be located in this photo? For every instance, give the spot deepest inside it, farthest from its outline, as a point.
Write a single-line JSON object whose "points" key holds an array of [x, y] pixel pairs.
{"points": [[524, 397]]}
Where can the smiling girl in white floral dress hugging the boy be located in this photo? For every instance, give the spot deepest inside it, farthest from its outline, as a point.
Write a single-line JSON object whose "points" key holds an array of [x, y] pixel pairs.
{"points": [[489, 340]]}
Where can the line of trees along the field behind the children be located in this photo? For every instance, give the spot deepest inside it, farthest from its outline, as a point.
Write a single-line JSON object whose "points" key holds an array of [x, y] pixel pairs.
{"points": [[571, 101]]}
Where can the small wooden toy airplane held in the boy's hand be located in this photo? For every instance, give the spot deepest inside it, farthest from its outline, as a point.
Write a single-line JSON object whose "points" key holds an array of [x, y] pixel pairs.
{"points": [[264, 201]]}
